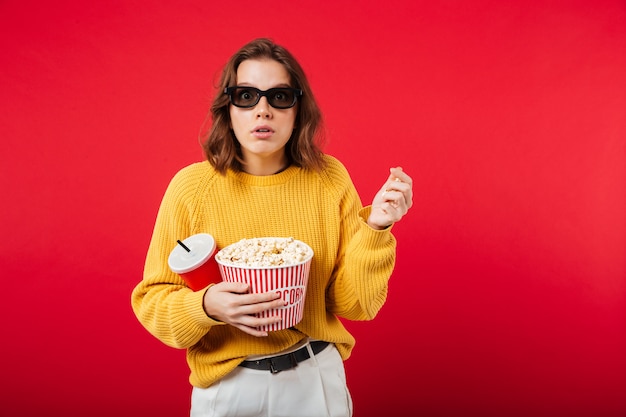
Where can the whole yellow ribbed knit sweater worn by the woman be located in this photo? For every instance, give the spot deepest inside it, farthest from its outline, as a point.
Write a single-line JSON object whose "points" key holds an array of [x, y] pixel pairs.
{"points": [[351, 265]]}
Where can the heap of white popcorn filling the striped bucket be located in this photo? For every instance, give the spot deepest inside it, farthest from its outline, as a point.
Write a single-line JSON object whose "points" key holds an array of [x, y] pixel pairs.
{"points": [[265, 252]]}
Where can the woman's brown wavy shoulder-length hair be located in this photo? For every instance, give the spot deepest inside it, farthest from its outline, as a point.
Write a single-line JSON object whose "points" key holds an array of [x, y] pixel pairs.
{"points": [[303, 148]]}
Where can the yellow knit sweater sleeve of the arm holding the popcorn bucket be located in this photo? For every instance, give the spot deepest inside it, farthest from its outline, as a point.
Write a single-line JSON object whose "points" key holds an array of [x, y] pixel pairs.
{"points": [[162, 302]]}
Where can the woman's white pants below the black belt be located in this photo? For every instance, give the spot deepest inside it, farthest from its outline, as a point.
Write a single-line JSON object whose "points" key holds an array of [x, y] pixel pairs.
{"points": [[315, 388]]}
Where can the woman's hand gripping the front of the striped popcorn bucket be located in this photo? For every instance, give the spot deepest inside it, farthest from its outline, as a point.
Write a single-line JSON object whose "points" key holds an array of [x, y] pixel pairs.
{"points": [[231, 303]]}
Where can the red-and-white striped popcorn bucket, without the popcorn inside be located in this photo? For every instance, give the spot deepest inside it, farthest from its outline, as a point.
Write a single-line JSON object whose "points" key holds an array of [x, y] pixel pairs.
{"points": [[289, 281]]}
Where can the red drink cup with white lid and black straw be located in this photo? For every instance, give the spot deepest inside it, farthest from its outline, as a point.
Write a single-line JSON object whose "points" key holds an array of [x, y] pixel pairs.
{"points": [[197, 267]]}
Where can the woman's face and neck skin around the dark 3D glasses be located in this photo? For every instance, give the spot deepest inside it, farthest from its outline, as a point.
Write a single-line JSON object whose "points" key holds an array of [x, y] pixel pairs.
{"points": [[262, 130]]}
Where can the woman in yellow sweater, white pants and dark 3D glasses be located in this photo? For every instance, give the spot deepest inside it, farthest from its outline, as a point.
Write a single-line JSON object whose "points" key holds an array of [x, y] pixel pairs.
{"points": [[266, 176]]}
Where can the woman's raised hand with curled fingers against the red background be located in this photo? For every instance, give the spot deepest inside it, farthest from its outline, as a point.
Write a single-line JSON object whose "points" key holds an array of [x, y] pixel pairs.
{"points": [[392, 201]]}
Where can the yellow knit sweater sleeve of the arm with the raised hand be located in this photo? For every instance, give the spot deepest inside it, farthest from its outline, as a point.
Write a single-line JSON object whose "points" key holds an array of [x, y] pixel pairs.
{"points": [[366, 258]]}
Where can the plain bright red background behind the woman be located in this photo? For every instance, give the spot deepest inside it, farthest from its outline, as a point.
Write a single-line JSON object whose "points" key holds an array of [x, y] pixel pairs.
{"points": [[508, 298]]}
